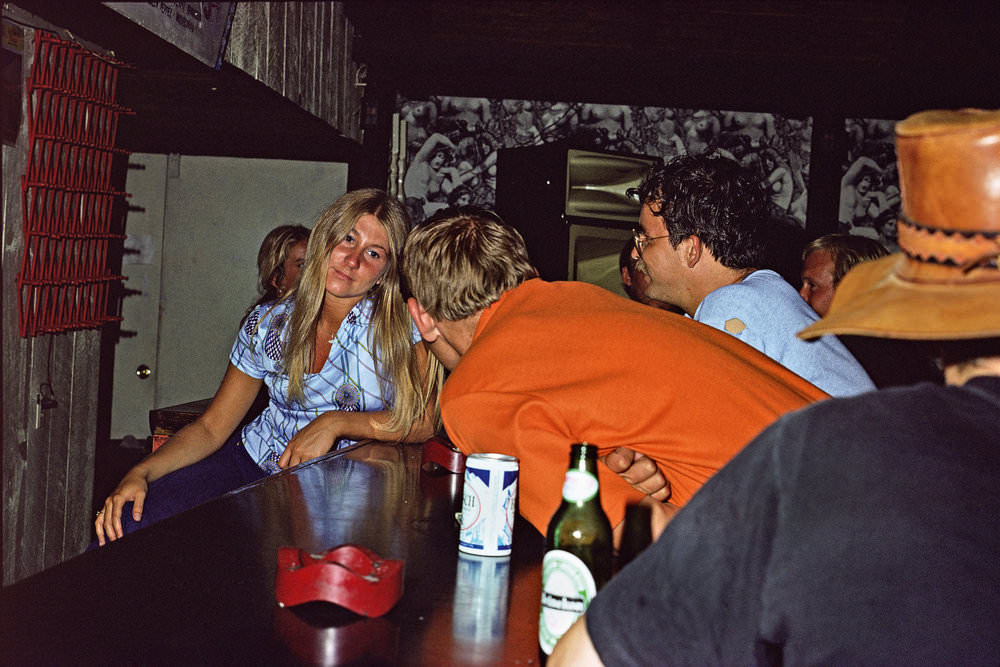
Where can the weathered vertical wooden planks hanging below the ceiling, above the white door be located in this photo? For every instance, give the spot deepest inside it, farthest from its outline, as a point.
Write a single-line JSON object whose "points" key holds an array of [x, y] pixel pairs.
{"points": [[304, 51]]}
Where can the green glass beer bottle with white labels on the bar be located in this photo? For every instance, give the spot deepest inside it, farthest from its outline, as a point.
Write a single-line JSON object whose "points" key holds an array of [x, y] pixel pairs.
{"points": [[578, 549]]}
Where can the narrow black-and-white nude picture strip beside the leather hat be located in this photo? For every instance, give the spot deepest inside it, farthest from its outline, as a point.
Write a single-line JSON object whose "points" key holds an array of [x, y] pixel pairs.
{"points": [[869, 185]]}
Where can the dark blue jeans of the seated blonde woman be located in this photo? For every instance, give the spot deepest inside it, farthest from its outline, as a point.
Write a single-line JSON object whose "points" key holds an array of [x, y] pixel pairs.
{"points": [[225, 470]]}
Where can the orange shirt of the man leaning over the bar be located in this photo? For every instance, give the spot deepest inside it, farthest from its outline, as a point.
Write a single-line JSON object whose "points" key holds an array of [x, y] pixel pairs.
{"points": [[552, 364]]}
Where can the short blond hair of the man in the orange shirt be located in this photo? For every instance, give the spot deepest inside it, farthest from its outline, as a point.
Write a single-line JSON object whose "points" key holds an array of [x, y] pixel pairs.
{"points": [[461, 261]]}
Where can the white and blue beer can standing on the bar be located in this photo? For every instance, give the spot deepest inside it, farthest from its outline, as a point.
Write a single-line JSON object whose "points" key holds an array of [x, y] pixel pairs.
{"points": [[488, 504]]}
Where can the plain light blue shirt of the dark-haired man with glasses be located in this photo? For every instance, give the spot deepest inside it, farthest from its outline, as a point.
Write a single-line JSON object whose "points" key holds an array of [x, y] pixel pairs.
{"points": [[765, 312]]}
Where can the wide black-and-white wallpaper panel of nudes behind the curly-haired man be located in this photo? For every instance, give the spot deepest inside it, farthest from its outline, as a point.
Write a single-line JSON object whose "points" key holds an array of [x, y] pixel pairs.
{"points": [[452, 142]]}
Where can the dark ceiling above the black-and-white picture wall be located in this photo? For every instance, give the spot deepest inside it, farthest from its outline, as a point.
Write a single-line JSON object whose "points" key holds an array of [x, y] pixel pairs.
{"points": [[875, 58]]}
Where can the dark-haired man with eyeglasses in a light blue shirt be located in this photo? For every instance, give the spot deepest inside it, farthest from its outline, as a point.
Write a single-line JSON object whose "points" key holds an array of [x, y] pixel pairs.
{"points": [[704, 228]]}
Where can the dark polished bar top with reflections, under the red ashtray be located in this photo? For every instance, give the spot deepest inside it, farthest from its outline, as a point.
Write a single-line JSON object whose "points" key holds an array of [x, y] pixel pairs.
{"points": [[199, 588]]}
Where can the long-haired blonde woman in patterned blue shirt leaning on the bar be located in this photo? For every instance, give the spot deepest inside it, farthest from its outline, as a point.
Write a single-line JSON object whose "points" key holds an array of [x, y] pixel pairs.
{"points": [[340, 358]]}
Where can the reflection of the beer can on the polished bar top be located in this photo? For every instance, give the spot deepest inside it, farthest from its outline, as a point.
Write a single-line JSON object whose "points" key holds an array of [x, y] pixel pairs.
{"points": [[479, 612]]}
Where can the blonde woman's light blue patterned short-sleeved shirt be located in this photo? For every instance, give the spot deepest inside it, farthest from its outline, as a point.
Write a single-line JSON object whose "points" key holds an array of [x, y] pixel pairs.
{"points": [[351, 379]]}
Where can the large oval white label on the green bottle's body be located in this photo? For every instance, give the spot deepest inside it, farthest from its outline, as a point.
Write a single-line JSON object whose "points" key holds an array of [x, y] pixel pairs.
{"points": [[567, 589]]}
